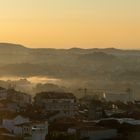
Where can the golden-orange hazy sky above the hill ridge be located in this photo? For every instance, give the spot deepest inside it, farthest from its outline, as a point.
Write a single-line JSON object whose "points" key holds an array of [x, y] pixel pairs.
{"points": [[71, 23]]}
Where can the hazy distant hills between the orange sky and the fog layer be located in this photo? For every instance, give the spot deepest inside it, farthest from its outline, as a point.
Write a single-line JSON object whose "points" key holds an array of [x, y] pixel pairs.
{"points": [[95, 67]]}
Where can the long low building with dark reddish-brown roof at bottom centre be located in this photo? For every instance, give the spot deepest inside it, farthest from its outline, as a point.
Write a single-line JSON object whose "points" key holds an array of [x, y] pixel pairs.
{"points": [[80, 130]]}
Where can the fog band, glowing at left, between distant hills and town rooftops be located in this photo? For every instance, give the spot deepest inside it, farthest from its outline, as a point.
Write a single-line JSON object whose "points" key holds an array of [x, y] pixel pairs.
{"points": [[33, 85]]}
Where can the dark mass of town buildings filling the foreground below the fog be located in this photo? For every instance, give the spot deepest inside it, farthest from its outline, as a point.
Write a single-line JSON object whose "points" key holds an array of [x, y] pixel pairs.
{"points": [[58, 115]]}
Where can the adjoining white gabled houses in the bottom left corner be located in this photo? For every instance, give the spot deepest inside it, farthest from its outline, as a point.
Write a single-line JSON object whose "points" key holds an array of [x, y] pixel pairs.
{"points": [[20, 126]]}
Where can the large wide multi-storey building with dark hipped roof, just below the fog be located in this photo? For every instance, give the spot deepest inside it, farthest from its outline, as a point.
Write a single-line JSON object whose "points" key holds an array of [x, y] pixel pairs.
{"points": [[56, 101]]}
